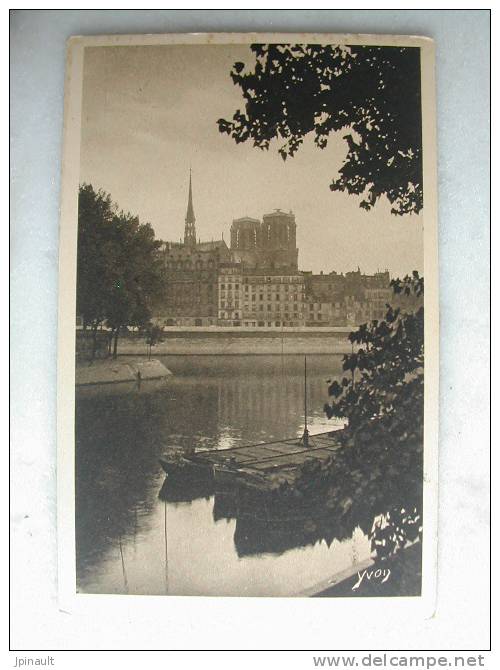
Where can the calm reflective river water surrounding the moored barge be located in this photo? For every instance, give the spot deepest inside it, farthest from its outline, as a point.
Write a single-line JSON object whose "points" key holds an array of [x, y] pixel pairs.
{"points": [[132, 539]]}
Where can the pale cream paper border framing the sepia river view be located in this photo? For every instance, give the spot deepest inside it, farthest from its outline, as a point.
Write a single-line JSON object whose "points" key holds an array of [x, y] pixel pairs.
{"points": [[422, 607]]}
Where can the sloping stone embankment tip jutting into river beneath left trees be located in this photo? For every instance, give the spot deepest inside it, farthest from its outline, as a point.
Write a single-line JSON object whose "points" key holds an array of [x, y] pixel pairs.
{"points": [[117, 371]]}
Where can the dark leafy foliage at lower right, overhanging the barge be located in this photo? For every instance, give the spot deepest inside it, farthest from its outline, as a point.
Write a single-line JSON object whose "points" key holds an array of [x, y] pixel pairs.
{"points": [[374, 479]]}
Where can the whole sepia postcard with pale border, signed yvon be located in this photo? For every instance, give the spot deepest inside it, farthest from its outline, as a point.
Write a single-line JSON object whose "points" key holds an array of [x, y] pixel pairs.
{"points": [[248, 328]]}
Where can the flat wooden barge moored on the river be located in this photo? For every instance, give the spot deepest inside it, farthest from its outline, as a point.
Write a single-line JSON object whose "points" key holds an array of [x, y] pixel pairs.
{"points": [[262, 466]]}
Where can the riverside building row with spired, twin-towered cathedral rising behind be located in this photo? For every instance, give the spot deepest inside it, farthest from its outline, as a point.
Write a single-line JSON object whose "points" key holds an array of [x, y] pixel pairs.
{"points": [[256, 282]]}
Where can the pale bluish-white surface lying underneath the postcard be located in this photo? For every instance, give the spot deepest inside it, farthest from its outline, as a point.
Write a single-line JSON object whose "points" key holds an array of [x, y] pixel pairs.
{"points": [[461, 620]]}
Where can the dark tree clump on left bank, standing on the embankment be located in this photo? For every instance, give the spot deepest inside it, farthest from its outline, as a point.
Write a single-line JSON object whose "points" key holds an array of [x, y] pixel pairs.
{"points": [[120, 271]]}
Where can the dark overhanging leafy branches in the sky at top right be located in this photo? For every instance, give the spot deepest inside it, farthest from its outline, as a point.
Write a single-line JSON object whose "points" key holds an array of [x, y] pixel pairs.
{"points": [[371, 93]]}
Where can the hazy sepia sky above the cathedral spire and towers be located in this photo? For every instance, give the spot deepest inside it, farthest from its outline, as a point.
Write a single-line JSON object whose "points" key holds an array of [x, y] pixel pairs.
{"points": [[149, 113]]}
